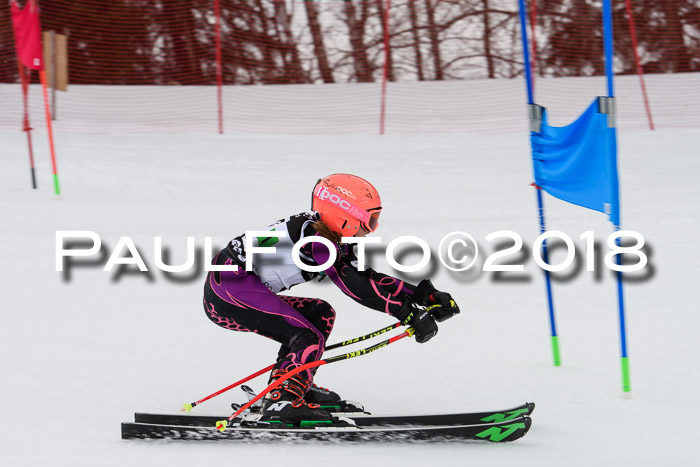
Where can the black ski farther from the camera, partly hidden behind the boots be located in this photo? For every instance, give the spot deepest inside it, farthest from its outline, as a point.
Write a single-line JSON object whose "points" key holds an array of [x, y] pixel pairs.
{"points": [[469, 418]]}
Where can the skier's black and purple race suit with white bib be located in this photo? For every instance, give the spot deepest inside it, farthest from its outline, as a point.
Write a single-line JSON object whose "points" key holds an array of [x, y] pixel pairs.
{"points": [[249, 301]]}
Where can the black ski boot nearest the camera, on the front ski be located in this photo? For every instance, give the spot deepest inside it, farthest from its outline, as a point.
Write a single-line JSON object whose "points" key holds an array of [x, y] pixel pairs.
{"points": [[286, 405]]}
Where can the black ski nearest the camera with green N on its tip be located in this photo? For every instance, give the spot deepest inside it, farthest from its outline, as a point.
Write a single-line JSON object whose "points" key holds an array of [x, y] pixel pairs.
{"points": [[495, 432]]}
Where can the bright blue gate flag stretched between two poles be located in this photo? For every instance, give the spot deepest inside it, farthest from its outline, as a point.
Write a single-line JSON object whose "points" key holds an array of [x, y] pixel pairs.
{"points": [[578, 163]]}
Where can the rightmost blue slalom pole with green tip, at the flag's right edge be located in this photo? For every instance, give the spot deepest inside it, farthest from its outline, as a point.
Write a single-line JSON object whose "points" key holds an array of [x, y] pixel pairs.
{"points": [[609, 72]]}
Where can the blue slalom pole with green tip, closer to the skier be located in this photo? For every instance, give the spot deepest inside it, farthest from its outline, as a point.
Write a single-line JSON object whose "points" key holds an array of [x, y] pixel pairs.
{"points": [[530, 100]]}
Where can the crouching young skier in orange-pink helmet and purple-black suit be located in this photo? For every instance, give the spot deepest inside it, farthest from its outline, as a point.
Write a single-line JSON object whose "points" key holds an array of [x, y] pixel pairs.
{"points": [[342, 205]]}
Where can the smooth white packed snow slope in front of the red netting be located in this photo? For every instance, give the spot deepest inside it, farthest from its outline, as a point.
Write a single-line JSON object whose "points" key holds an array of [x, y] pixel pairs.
{"points": [[83, 350]]}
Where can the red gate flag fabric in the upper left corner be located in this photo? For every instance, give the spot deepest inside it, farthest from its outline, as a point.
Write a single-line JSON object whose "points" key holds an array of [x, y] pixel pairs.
{"points": [[28, 34]]}
